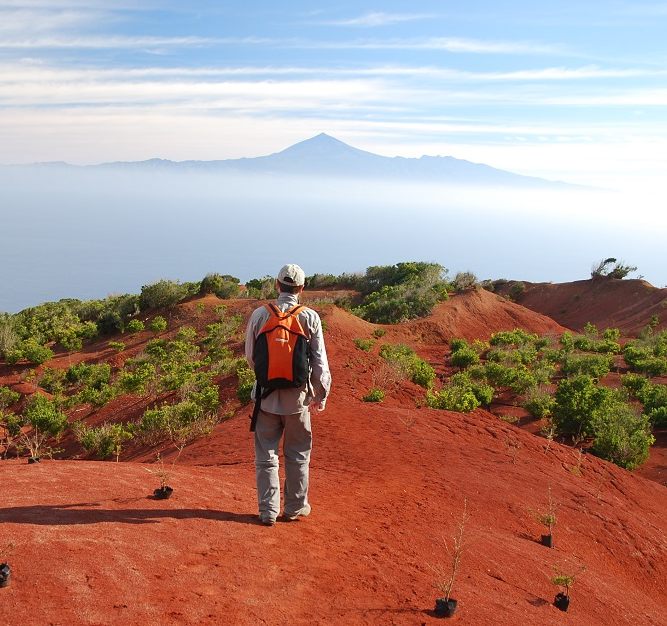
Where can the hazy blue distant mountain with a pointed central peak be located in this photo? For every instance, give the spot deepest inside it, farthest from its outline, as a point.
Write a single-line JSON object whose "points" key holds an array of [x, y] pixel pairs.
{"points": [[325, 156]]}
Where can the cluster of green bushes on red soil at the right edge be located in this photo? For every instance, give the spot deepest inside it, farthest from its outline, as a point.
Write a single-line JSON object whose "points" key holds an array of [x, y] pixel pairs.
{"points": [[580, 406]]}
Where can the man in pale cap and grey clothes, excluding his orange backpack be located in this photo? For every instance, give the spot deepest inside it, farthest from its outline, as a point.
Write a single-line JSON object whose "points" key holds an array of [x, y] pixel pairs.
{"points": [[285, 413]]}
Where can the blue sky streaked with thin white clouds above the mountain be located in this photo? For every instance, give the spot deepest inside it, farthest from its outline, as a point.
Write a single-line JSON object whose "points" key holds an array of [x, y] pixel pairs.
{"points": [[571, 90]]}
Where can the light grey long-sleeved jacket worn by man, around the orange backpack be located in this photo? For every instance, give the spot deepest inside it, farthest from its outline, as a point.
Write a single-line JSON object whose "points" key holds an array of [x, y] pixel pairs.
{"points": [[289, 401]]}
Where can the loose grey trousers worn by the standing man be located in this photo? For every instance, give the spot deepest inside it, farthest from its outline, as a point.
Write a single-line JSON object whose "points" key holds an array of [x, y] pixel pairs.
{"points": [[297, 442]]}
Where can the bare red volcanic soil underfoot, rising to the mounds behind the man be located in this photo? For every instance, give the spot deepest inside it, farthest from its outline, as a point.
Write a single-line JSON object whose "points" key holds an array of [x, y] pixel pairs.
{"points": [[388, 486]]}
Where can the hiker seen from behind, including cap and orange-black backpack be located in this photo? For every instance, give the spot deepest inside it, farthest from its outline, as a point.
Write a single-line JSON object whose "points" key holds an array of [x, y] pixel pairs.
{"points": [[284, 409]]}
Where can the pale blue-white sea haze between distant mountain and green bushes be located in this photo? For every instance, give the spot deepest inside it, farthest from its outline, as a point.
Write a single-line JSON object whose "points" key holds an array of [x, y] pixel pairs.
{"points": [[86, 233]]}
